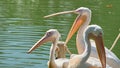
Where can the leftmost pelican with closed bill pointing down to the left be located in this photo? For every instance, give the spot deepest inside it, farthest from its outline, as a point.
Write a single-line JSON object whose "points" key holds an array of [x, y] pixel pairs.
{"points": [[53, 36]]}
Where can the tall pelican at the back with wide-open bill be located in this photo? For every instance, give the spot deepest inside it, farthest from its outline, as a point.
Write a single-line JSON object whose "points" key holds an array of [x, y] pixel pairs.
{"points": [[81, 22]]}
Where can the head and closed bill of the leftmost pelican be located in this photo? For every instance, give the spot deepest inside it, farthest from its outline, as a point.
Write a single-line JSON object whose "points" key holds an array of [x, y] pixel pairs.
{"points": [[51, 35]]}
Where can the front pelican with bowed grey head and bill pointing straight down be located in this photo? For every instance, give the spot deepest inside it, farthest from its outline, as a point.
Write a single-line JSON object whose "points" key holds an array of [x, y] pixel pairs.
{"points": [[84, 60]]}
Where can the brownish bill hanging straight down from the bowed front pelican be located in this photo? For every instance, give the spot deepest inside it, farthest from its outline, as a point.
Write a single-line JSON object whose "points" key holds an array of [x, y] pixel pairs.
{"points": [[101, 50]]}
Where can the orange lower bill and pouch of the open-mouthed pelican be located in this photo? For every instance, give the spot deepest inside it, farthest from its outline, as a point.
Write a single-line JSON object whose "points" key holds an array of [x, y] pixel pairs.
{"points": [[77, 23]]}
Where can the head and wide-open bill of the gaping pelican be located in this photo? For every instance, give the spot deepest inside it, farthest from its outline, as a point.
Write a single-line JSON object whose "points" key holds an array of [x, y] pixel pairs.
{"points": [[84, 16]]}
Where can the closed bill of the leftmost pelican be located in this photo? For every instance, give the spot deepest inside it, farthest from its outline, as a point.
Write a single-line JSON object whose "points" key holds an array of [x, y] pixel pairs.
{"points": [[43, 40]]}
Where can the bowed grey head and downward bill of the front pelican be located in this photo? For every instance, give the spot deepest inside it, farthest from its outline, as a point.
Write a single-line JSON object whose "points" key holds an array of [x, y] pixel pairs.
{"points": [[95, 32]]}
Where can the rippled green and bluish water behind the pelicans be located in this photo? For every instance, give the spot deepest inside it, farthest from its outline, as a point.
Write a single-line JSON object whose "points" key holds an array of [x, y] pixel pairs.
{"points": [[22, 24]]}
